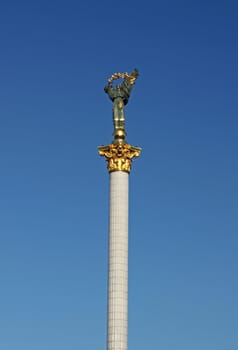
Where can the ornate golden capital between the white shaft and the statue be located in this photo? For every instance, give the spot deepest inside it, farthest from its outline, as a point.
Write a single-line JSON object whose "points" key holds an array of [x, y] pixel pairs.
{"points": [[119, 156]]}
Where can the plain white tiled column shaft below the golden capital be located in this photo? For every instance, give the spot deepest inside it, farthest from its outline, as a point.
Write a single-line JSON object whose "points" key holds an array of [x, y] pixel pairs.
{"points": [[118, 262]]}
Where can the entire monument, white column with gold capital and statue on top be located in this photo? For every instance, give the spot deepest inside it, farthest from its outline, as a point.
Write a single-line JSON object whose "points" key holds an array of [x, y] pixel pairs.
{"points": [[119, 155]]}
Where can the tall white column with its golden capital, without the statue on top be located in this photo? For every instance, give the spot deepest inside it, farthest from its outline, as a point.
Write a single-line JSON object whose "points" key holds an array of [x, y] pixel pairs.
{"points": [[119, 156]]}
